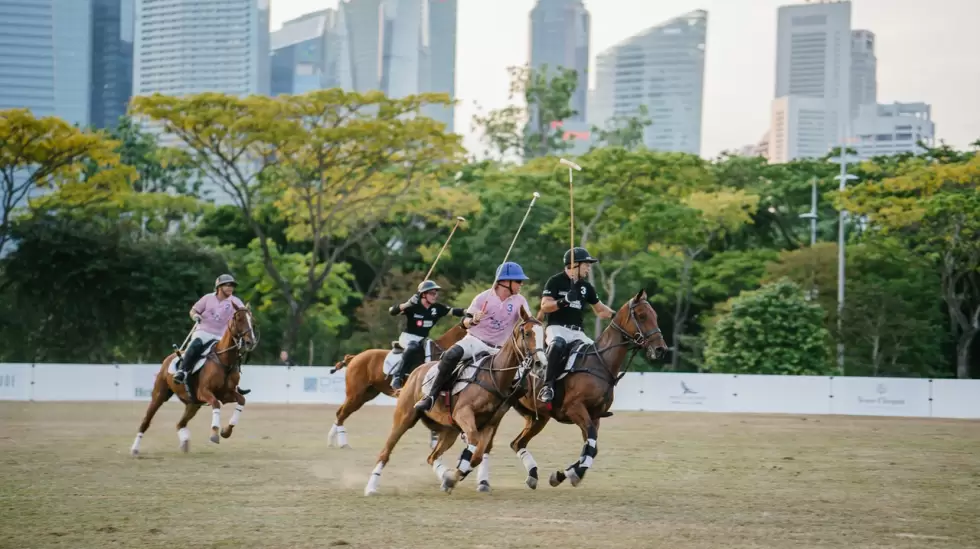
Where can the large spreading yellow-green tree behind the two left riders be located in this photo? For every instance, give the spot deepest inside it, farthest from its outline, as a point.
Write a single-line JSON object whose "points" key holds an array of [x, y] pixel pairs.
{"points": [[336, 164]]}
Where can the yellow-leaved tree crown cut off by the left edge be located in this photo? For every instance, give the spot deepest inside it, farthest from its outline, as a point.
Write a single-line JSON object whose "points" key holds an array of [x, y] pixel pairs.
{"points": [[46, 153]]}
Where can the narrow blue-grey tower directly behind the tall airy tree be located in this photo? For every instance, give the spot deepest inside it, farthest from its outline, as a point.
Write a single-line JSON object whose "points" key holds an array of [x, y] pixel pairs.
{"points": [[560, 31]]}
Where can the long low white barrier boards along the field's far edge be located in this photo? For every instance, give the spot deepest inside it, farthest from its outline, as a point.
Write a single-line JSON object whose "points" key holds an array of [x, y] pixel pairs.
{"points": [[948, 398]]}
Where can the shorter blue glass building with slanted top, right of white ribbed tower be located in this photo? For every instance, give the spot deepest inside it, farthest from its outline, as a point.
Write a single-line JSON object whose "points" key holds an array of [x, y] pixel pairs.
{"points": [[299, 54]]}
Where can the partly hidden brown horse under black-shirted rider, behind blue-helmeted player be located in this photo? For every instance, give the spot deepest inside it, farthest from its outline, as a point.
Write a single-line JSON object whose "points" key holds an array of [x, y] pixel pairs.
{"points": [[366, 380]]}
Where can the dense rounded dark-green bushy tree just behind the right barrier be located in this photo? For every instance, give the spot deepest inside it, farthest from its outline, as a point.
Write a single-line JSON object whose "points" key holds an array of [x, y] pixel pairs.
{"points": [[770, 331]]}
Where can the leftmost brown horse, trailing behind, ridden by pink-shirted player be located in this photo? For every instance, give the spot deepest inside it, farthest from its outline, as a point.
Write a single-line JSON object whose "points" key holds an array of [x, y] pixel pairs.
{"points": [[215, 383]]}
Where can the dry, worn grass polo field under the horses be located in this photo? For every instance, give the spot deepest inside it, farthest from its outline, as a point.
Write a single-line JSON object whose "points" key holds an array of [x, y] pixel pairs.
{"points": [[678, 481]]}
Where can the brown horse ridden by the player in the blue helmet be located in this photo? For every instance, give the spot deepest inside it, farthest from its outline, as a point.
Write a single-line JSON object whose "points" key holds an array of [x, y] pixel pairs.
{"points": [[476, 412]]}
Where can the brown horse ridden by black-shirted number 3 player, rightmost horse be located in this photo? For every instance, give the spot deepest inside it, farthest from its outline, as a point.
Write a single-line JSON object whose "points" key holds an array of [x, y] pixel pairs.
{"points": [[586, 393]]}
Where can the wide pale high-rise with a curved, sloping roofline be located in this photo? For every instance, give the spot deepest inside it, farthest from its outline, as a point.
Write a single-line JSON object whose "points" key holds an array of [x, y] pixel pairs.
{"points": [[663, 69]]}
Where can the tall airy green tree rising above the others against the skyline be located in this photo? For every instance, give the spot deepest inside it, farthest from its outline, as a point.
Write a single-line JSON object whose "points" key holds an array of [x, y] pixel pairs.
{"points": [[535, 129]]}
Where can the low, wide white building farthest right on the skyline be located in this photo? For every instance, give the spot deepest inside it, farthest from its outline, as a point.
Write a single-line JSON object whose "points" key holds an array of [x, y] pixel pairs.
{"points": [[882, 130]]}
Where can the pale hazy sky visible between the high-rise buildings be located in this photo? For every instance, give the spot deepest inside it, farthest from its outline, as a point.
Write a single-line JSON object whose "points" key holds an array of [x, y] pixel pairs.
{"points": [[927, 50]]}
